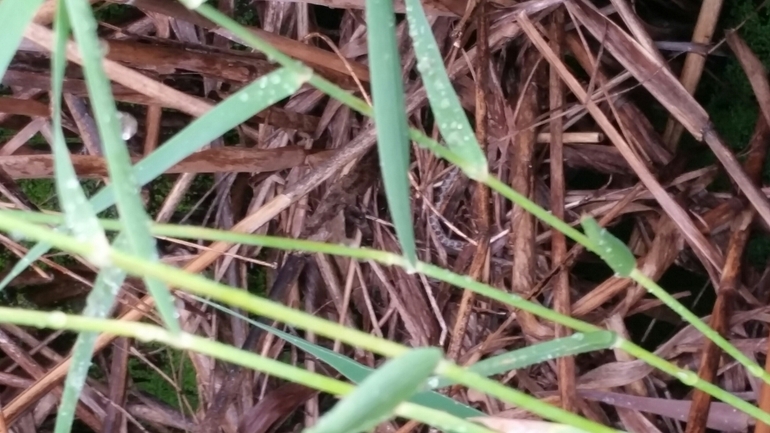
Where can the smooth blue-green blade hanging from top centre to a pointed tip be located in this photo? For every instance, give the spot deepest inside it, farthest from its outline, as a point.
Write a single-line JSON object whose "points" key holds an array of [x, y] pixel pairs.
{"points": [[390, 118]]}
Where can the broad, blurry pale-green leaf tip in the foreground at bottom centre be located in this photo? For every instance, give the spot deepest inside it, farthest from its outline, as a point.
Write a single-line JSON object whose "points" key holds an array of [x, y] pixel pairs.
{"points": [[375, 399]]}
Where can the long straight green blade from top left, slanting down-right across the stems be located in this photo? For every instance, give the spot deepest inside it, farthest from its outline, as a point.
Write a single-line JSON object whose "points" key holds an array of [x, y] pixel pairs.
{"points": [[130, 207]]}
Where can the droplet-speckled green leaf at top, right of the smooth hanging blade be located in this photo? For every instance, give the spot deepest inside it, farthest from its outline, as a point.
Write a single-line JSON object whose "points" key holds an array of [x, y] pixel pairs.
{"points": [[450, 116]]}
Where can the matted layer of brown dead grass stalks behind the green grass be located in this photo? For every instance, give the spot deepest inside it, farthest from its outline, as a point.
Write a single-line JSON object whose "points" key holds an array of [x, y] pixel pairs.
{"points": [[316, 158]]}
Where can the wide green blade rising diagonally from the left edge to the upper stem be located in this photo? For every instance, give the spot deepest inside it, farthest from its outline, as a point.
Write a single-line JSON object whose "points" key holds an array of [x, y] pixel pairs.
{"points": [[220, 119]]}
